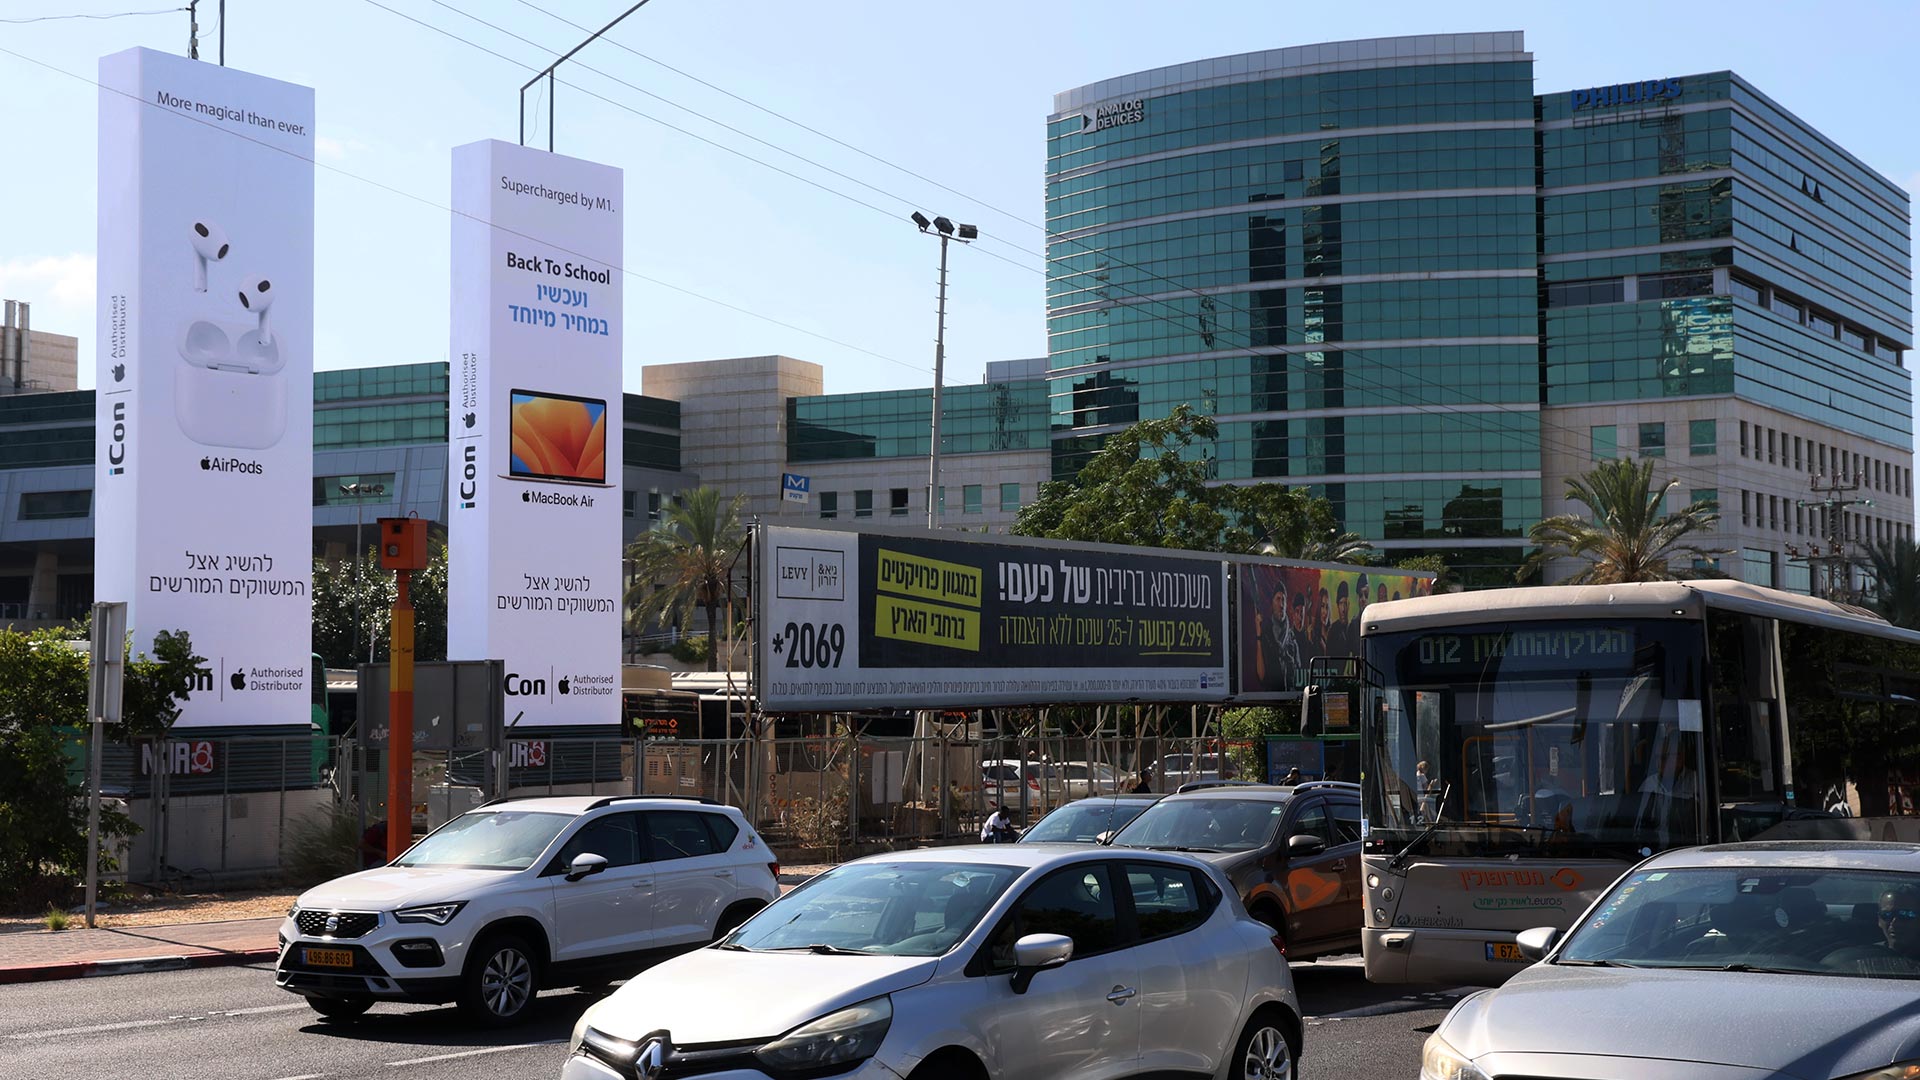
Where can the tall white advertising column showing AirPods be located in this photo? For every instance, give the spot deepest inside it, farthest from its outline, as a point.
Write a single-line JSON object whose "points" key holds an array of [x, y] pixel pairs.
{"points": [[204, 374]]}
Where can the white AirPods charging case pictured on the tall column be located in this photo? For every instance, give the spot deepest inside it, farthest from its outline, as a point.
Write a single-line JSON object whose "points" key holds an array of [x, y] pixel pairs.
{"points": [[229, 391]]}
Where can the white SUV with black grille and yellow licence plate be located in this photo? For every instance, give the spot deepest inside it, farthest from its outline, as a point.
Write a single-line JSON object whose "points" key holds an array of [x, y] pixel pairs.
{"points": [[525, 895]]}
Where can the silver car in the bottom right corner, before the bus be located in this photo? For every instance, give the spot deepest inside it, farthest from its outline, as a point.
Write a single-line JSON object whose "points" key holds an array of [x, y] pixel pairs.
{"points": [[1739, 962]]}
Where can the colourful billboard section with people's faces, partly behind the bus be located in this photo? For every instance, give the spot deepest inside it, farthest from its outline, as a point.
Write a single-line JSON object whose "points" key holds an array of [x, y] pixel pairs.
{"points": [[1289, 616]]}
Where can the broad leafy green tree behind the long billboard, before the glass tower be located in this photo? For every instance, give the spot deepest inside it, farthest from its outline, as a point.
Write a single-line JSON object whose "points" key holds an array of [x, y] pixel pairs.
{"points": [[1149, 489]]}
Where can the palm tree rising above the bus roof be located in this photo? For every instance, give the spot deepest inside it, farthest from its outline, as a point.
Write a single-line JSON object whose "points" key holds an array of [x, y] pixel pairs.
{"points": [[1625, 535]]}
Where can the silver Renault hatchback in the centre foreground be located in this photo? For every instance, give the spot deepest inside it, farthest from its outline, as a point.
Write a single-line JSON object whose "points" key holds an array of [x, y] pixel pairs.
{"points": [[1024, 962]]}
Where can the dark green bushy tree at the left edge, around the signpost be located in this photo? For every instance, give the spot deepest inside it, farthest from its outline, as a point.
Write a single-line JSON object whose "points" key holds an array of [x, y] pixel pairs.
{"points": [[43, 725]]}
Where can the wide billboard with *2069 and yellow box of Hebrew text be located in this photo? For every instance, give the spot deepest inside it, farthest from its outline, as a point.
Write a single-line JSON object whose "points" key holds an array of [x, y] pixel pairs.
{"points": [[884, 620]]}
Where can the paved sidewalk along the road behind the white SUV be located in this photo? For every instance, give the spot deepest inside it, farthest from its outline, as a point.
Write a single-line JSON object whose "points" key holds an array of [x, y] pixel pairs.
{"points": [[37, 956]]}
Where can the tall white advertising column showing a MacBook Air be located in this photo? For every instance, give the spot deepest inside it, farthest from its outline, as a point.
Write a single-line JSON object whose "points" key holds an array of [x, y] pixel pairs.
{"points": [[537, 430]]}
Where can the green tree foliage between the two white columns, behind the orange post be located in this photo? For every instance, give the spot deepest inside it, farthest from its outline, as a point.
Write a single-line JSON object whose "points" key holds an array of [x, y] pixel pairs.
{"points": [[335, 591]]}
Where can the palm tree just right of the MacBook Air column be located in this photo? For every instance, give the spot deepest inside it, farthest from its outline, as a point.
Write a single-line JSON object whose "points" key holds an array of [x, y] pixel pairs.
{"points": [[688, 562]]}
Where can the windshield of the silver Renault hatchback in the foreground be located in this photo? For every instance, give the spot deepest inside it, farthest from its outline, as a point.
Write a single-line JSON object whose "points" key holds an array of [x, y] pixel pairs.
{"points": [[896, 910]]}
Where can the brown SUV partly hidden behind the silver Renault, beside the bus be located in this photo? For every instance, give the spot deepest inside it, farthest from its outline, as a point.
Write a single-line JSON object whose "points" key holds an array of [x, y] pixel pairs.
{"points": [[1291, 852]]}
